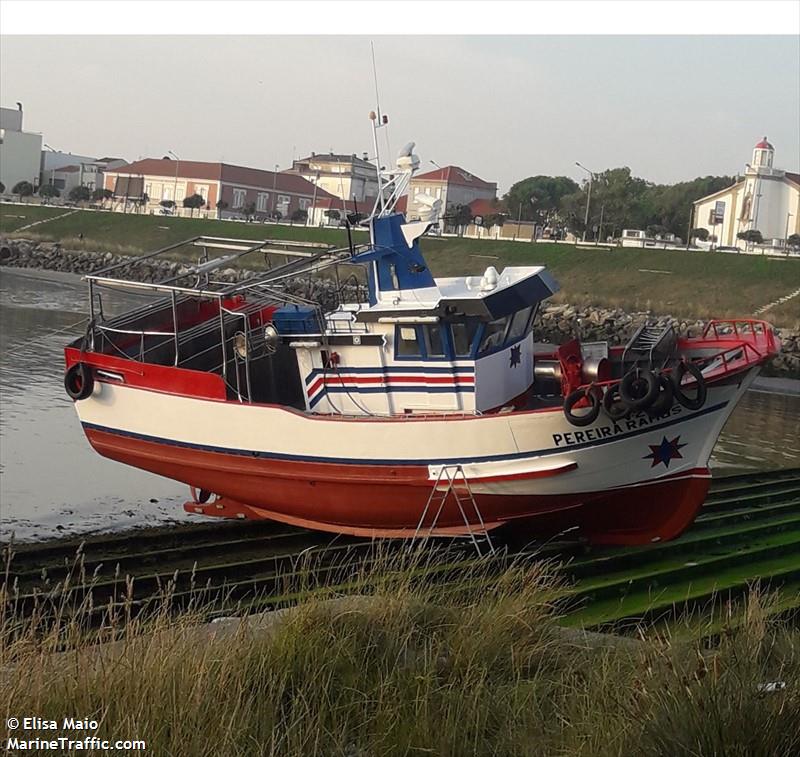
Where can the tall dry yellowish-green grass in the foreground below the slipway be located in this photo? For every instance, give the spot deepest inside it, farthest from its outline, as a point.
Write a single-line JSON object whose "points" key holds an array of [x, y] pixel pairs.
{"points": [[406, 664]]}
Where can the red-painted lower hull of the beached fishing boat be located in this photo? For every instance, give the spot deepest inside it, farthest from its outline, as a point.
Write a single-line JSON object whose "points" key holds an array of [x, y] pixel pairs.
{"points": [[387, 500]]}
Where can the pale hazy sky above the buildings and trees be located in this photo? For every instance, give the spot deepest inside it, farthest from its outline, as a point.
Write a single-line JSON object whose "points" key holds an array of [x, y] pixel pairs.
{"points": [[671, 108]]}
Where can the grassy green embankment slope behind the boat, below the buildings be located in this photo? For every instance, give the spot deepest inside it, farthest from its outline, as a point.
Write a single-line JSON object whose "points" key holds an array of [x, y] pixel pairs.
{"points": [[685, 284]]}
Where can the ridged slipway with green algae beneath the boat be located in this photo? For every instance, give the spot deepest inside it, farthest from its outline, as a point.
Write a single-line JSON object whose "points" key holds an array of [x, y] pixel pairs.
{"points": [[749, 530]]}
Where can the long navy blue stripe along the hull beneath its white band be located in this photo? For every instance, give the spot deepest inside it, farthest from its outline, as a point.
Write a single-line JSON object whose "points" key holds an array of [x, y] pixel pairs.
{"points": [[424, 462]]}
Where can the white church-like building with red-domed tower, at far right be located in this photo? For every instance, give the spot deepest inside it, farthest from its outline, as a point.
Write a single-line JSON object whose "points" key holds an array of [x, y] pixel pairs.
{"points": [[765, 199]]}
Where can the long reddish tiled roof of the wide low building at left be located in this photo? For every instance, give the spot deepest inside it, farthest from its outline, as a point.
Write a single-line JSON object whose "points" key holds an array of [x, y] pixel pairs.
{"points": [[224, 172]]}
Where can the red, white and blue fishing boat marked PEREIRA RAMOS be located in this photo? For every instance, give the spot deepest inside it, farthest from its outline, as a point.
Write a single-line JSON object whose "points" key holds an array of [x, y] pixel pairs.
{"points": [[421, 406]]}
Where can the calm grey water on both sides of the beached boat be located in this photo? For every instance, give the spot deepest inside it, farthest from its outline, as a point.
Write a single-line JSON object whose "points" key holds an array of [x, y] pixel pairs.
{"points": [[52, 482]]}
